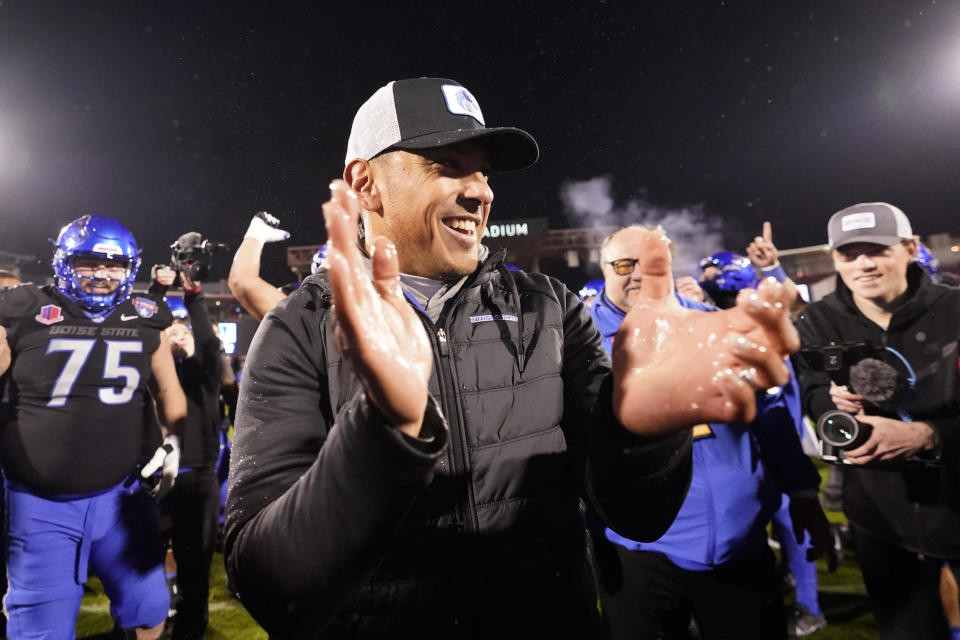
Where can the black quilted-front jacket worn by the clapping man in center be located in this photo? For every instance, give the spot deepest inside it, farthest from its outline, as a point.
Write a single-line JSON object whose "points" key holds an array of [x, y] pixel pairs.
{"points": [[338, 524]]}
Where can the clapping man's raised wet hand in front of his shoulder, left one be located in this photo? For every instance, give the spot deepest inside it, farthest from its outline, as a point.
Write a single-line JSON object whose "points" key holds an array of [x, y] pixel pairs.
{"points": [[377, 331]]}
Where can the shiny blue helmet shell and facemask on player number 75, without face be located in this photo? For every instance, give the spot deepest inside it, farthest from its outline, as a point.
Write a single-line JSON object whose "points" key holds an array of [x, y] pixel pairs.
{"points": [[95, 237]]}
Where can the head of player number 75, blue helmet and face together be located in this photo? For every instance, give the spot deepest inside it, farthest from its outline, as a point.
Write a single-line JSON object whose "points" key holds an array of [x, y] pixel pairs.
{"points": [[95, 263]]}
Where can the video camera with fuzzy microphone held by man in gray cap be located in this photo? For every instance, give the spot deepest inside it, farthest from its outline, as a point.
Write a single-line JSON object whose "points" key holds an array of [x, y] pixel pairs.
{"points": [[881, 375]]}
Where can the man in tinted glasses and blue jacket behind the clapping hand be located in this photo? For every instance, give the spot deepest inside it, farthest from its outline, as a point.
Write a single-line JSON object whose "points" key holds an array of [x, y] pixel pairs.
{"points": [[713, 565]]}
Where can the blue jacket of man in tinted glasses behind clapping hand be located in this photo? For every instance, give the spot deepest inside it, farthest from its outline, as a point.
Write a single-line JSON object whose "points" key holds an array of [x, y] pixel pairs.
{"points": [[739, 472]]}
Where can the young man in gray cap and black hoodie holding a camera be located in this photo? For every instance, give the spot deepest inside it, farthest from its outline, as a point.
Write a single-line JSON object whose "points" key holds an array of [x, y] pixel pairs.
{"points": [[883, 347]]}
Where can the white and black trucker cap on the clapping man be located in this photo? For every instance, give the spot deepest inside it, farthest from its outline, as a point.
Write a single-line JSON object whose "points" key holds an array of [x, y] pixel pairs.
{"points": [[423, 113]]}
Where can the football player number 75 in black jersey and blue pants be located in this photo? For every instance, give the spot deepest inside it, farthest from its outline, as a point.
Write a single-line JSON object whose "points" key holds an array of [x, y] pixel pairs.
{"points": [[90, 359]]}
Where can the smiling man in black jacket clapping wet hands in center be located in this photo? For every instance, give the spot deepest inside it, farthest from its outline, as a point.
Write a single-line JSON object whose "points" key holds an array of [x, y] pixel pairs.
{"points": [[411, 447]]}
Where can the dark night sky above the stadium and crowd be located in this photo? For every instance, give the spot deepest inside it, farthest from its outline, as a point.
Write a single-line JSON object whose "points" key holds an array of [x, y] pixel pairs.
{"points": [[184, 116]]}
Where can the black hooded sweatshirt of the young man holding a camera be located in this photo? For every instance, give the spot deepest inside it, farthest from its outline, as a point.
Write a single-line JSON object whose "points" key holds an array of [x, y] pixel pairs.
{"points": [[914, 505]]}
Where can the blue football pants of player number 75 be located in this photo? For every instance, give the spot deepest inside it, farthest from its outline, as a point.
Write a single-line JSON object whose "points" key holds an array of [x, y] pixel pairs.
{"points": [[51, 543]]}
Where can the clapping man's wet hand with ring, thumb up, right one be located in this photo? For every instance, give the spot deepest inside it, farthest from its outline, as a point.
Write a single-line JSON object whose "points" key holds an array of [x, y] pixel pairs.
{"points": [[674, 368]]}
